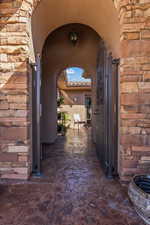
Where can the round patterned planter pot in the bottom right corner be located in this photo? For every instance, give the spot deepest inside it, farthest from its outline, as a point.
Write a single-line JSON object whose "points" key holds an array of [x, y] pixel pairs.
{"points": [[139, 193]]}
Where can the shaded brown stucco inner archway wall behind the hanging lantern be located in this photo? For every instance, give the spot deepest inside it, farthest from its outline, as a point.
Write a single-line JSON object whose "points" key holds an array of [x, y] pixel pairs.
{"points": [[59, 54]]}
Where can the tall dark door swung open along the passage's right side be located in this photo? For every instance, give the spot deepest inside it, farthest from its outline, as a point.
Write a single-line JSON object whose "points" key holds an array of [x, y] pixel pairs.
{"points": [[107, 101]]}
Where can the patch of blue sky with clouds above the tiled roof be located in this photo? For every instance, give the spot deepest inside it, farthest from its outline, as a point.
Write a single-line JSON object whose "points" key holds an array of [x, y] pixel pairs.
{"points": [[75, 74]]}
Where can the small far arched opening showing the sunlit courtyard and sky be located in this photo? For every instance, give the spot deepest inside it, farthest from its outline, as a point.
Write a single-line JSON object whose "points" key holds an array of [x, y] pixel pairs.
{"points": [[74, 99]]}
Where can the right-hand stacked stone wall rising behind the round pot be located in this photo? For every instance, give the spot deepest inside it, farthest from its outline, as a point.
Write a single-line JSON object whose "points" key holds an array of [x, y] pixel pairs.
{"points": [[135, 87]]}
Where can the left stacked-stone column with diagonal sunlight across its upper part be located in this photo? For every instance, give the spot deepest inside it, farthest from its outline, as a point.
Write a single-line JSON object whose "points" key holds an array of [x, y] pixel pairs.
{"points": [[14, 89]]}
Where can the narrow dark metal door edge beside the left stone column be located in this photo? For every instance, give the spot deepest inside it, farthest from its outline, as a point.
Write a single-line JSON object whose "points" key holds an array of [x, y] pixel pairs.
{"points": [[36, 114]]}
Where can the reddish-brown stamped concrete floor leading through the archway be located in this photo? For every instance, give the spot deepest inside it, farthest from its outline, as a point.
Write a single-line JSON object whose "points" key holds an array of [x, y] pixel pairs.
{"points": [[73, 191]]}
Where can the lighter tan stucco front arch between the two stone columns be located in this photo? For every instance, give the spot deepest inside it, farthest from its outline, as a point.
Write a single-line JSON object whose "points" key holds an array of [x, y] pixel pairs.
{"points": [[101, 15]]}
